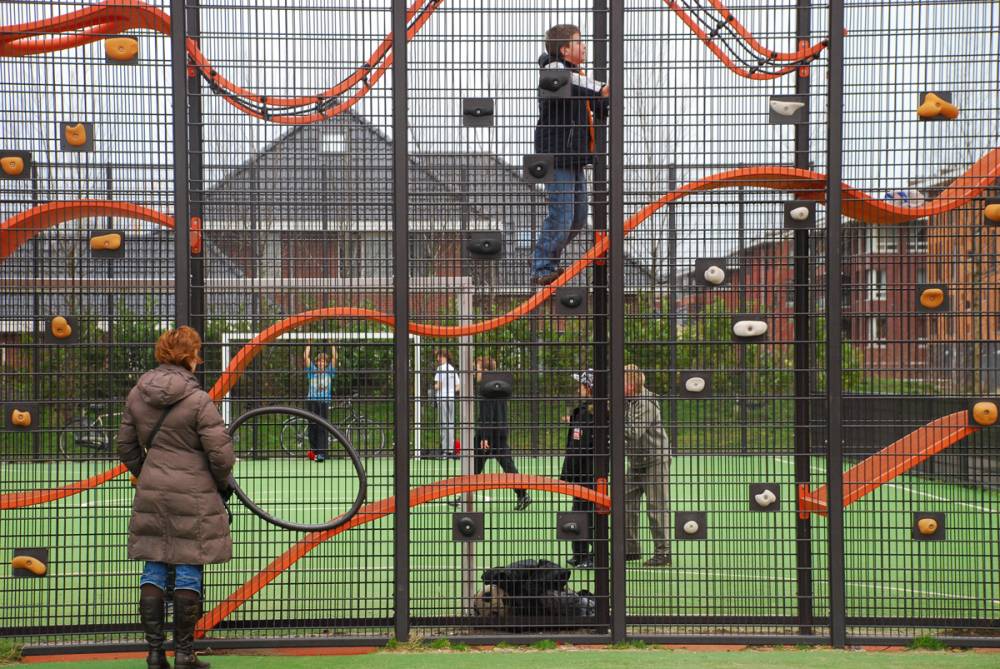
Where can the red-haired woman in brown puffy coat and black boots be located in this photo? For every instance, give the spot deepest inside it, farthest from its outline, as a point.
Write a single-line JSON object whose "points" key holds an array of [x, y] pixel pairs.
{"points": [[174, 442]]}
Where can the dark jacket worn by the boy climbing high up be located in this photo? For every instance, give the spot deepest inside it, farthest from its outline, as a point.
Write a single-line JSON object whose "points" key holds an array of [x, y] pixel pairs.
{"points": [[563, 127]]}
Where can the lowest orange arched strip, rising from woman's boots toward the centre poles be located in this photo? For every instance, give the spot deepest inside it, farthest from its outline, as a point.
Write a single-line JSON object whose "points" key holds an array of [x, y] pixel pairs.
{"points": [[375, 510]]}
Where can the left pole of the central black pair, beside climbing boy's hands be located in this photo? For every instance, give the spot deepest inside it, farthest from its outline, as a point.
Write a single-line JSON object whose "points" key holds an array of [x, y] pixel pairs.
{"points": [[599, 208]]}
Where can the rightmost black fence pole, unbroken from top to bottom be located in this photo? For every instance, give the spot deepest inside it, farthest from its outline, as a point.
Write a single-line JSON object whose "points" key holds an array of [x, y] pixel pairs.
{"points": [[834, 390]]}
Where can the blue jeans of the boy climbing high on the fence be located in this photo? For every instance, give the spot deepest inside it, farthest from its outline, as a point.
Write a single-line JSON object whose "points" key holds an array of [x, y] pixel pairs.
{"points": [[567, 215]]}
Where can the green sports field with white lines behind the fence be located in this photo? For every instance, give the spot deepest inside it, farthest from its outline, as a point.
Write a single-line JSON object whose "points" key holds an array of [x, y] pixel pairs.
{"points": [[745, 567]]}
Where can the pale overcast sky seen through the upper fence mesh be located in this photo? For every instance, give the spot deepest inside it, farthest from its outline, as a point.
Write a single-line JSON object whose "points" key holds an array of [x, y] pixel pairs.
{"points": [[682, 106]]}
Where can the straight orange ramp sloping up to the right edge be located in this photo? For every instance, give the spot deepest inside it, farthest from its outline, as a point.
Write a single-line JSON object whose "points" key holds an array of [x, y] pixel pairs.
{"points": [[894, 460]]}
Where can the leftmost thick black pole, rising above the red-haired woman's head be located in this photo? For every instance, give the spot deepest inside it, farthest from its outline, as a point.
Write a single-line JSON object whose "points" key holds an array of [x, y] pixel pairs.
{"points": [[182, 237]]}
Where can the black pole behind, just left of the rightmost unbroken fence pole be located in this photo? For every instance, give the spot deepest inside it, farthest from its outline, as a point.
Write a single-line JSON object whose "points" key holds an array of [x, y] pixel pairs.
{"points": [[802, 349]]}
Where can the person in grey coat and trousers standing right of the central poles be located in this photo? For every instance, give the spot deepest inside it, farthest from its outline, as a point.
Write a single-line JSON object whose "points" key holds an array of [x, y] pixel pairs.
{"points": [[648, 475]]}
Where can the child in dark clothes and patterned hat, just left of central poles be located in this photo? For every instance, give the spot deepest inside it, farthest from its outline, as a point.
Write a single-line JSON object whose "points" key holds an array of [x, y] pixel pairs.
{"points": [[578, 465]]}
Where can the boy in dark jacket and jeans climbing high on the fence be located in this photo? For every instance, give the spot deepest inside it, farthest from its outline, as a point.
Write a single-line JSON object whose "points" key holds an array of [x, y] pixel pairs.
{"points": [[565, 130]]}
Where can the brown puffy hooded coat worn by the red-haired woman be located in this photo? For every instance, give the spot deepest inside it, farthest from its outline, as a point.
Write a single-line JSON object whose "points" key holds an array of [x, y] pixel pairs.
{"points": [[177, 514]]}
